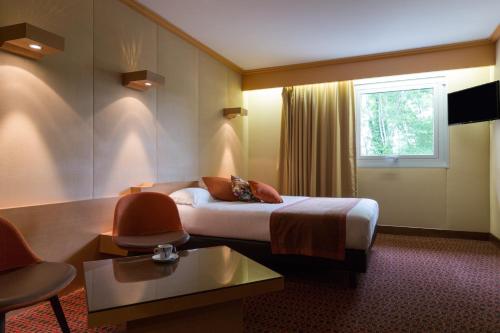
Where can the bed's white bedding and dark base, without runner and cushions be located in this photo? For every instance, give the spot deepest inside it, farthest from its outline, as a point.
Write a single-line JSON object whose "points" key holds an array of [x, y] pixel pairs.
{"points": [[246, 228]]}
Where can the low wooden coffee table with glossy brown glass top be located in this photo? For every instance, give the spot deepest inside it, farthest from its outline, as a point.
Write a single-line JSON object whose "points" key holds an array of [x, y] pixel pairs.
{"points": [[202, 291]]}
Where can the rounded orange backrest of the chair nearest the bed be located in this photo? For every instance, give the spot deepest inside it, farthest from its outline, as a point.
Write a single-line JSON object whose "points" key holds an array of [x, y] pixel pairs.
{"points": [[145, 213]]}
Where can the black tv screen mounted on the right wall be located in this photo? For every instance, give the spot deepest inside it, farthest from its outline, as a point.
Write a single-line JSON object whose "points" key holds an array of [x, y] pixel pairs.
{"points": [[480, 103]]}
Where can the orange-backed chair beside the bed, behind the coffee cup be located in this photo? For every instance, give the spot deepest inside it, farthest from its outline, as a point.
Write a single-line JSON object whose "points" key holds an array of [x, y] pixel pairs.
{"points": [[144, 220]]}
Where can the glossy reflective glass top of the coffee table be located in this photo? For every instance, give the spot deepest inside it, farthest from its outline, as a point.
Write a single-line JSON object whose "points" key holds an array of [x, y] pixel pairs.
{"points": [[127, 281]]}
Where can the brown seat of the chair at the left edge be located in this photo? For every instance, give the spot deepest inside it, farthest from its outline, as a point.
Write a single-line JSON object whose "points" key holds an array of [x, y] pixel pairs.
{"points": [[32, 284]]}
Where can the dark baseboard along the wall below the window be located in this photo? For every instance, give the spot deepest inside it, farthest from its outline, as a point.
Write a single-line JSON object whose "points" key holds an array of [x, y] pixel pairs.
{"points": [[394, 230]]}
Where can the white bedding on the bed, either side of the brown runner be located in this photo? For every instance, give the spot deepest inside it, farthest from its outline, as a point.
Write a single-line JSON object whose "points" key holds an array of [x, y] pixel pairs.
{"points": [[251, 220]]}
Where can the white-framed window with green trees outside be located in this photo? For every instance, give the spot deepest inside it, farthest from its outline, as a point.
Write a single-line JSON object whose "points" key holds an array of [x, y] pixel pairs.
{"points": [[402, 123]]}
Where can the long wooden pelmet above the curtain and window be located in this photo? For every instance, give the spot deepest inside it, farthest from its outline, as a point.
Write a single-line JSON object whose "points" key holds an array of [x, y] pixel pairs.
{"points": [[446, 57]]}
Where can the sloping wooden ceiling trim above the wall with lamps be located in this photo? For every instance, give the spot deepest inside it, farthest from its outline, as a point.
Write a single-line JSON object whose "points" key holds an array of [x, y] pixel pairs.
{"points": [[148, 13]]}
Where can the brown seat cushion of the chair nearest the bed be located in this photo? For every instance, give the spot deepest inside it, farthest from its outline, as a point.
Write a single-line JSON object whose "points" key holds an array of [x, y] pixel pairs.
{"points": [[149, 242]]}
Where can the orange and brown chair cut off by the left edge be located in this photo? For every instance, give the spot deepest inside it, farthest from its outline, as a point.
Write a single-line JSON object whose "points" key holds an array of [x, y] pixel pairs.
{"points": [[25, 279]]}
